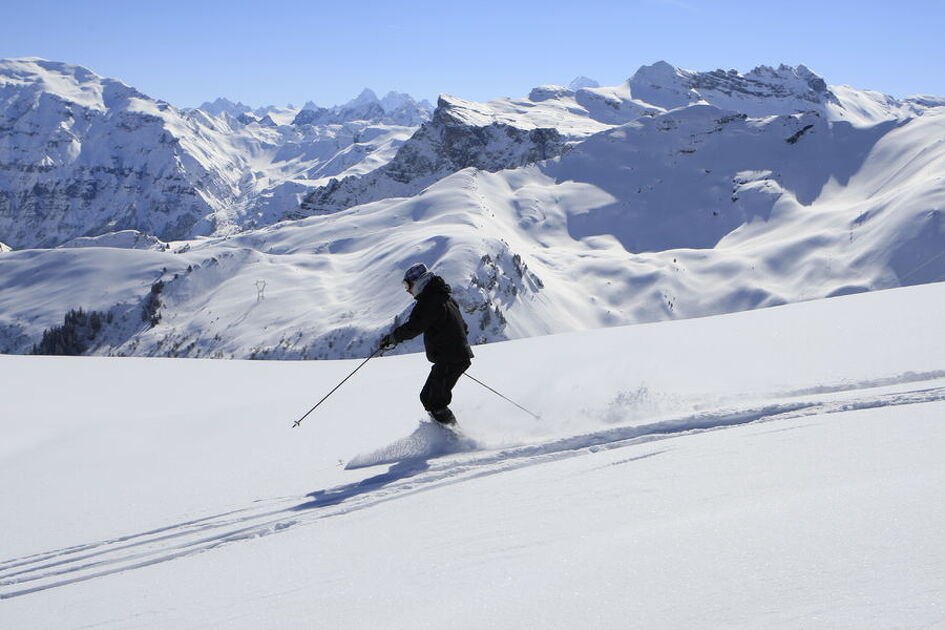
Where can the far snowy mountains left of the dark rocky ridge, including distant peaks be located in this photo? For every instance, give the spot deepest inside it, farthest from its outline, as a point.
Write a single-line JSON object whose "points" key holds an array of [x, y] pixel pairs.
{"points": [[82, 155]]}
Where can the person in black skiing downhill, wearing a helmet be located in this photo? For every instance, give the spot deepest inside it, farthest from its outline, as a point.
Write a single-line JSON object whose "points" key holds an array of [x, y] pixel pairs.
{"points": [[436, 314]]}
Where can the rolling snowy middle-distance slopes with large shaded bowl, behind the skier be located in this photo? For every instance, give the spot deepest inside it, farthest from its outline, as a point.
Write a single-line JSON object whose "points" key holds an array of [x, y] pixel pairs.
{"points": [[602, 236]]}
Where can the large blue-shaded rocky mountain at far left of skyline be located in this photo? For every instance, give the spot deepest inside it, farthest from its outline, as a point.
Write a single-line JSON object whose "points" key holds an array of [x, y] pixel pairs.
{"points": [[86, 155]]}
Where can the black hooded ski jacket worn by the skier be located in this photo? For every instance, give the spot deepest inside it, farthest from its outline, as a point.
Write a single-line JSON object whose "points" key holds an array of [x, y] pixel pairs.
{"points": [[437, 316]]}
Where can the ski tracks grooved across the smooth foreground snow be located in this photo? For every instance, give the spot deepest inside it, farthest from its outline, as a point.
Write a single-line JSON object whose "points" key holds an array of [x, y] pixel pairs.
{"points": [[70, 565]]}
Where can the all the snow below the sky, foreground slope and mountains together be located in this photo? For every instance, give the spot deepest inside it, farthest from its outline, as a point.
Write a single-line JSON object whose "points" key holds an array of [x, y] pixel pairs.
{"points": [[777, 467]]}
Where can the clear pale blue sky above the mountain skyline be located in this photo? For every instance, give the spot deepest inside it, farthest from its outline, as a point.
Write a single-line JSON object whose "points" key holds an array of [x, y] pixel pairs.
{"points": [[266, 53]]}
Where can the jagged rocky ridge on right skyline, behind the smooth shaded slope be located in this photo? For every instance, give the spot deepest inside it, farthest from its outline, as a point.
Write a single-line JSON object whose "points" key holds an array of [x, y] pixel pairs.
{"points": [[507, 133]]}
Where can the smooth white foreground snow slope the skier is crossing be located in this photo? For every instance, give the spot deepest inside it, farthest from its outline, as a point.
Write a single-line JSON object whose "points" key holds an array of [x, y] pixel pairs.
{"points": [[774, 468]]}
